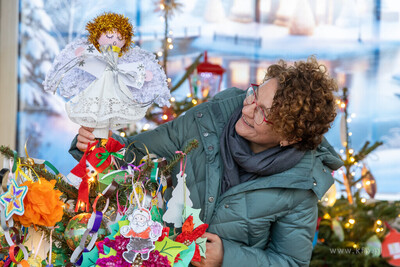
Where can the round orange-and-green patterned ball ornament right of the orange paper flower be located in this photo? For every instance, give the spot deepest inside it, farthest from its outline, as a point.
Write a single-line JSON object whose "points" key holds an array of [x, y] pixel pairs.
{"points": [[76, 228]]}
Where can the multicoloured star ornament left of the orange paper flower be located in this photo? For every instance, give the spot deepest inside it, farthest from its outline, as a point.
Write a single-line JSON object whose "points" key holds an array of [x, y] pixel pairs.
{"points": [[13, 200]]}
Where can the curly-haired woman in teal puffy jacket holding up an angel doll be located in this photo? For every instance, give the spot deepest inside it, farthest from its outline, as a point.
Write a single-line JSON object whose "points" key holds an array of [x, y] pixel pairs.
{"points": [[261, 166]]}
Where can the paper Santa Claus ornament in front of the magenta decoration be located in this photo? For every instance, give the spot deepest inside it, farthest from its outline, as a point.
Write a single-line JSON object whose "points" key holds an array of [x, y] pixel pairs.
{"points": [[143, 232]]}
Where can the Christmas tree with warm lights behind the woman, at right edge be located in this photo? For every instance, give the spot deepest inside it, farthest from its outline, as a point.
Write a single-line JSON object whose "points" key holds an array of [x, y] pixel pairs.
{"points": [[354, 230]]}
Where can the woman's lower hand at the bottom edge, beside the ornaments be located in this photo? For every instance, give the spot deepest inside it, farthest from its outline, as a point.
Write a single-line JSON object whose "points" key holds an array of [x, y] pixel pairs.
{"points": [[214, 252]]}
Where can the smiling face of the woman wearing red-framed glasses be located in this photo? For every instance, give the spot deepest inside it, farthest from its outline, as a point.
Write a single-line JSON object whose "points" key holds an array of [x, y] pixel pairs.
{"points": [[260, 136]]}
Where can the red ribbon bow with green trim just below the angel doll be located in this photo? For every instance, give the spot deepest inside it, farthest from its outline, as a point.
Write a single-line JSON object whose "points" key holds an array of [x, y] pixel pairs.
{"points": [[93, 161]]}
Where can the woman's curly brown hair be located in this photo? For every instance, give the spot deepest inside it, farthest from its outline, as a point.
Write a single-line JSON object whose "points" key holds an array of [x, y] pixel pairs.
{"points": [[304, 103]]}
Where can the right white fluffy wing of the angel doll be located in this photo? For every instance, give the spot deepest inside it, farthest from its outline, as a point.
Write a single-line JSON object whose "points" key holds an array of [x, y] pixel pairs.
{"points": [[155, 88]]}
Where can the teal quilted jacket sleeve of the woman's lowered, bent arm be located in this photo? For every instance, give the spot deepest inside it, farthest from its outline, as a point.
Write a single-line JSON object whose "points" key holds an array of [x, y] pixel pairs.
{"points": [[290, 243]]}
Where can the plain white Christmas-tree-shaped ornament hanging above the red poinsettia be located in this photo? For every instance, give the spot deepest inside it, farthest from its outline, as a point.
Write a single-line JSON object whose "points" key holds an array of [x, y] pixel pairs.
{"points": [[180, 199]]}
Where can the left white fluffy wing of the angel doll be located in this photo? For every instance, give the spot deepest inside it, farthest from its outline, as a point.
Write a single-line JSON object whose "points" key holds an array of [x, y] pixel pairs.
{"points": [[71, 73]]}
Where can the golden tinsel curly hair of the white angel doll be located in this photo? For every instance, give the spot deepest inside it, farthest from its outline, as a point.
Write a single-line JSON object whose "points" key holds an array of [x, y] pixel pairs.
{"points": [[108, 22]]}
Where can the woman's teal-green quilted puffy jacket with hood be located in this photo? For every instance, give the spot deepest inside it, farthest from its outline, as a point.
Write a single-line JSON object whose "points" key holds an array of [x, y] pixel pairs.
{"points": [[269, 221]]}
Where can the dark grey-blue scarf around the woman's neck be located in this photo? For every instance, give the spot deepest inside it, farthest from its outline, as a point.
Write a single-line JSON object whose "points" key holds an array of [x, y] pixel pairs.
{"points": [[241, 164]]}
